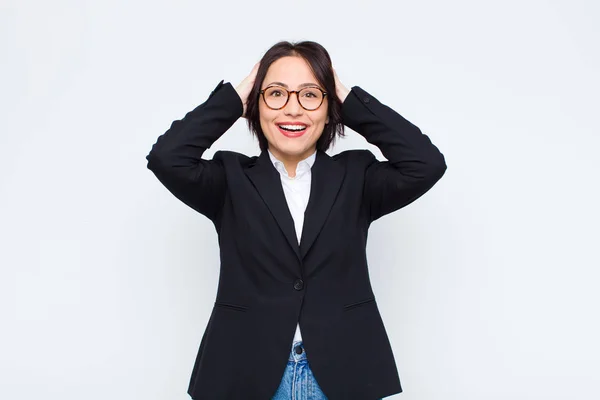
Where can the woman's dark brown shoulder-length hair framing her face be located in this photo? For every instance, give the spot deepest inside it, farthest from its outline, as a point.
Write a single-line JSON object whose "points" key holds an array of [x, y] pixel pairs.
{"points": [[320, 64]]}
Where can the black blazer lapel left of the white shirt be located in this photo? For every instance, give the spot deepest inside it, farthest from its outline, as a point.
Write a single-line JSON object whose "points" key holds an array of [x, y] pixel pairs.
{"points": [[267, 181]]}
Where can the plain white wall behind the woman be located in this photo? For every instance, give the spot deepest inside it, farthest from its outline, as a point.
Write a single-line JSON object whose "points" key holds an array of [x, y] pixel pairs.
{"points": [[488, 285]]}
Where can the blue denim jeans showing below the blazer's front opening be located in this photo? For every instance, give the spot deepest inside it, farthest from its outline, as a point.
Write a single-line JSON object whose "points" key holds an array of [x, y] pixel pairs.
{"points": [[298, 381]]}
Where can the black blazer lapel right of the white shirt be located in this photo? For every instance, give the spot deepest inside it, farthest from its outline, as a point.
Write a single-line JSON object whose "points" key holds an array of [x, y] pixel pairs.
{"points": [[326, 180]]}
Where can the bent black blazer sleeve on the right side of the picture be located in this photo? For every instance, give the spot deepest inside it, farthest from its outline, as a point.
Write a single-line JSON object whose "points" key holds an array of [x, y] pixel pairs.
{"points": [[414, 164]]}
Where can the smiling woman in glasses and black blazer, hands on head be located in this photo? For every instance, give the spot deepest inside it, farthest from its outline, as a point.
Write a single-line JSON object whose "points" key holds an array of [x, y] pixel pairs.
{"points": [[295, 315]]}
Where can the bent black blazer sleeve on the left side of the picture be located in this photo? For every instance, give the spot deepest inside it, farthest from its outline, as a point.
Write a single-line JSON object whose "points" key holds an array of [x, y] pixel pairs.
{"points": [[176, 157]]}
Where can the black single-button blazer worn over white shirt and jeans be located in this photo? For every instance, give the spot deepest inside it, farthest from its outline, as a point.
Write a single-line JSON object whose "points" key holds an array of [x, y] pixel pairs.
{"points": [[268, 282]]}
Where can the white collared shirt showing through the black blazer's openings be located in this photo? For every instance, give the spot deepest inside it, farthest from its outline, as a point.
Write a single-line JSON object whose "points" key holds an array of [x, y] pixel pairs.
{"points": [[297, 192]]}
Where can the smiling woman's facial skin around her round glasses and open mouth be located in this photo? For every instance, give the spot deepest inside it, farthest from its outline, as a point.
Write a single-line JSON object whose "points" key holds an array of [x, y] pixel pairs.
{"points": [[285, 145]]}
